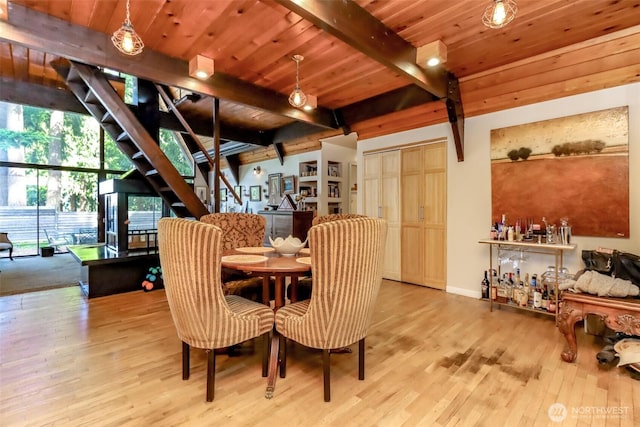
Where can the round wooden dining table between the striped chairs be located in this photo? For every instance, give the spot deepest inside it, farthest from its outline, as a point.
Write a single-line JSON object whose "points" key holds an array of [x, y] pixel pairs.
{"points": [[279, 267]]}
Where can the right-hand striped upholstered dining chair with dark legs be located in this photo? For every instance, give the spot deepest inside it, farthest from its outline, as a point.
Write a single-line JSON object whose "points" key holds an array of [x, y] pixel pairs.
{"points": [[346, 262]]}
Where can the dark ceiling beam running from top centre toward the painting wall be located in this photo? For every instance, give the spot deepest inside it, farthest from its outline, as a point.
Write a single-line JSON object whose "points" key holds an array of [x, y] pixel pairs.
{"points": [[353, 25]]}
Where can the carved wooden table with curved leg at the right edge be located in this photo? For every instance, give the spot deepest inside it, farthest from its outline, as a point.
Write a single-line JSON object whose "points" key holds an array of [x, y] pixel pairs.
{"points": [[619, 314]]}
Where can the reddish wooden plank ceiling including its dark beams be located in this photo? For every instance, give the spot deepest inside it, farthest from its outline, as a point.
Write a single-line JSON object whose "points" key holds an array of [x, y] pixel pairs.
{"points": [[552, 49]]}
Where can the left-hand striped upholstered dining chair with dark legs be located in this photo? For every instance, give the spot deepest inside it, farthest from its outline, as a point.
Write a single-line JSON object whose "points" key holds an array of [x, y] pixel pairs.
{"points": [[205, 318]]}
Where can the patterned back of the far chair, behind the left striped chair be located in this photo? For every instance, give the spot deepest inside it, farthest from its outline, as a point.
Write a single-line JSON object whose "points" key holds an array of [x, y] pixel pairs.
{"points": [[239, 229]]}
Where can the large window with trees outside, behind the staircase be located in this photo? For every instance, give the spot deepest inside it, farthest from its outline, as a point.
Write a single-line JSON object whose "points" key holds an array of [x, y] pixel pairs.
{"points": [[49, 173]]}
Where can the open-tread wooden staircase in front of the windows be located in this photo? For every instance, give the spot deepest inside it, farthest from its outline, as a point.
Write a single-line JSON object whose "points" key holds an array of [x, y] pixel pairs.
{"points": [[94, 91]]}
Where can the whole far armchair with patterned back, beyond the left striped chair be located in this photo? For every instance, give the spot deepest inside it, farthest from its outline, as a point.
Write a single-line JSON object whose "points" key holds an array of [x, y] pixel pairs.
{"points": [[240, 230]]}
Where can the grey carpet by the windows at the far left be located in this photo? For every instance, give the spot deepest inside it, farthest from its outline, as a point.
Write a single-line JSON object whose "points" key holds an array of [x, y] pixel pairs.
{"points": [[29, 274]]}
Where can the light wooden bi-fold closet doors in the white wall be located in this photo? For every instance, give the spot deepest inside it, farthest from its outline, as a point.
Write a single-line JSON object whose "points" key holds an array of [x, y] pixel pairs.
{"points": [[407, 187]]}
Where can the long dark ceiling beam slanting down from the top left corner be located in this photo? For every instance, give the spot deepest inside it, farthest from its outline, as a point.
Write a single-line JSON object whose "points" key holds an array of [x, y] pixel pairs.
{"points": [[33, 29]]}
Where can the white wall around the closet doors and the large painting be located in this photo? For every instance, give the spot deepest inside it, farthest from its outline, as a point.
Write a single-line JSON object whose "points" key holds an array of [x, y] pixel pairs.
{"points": [[469, 182]]}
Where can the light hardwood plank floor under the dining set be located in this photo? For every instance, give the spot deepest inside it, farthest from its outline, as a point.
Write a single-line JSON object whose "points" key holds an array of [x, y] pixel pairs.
{"points": [[433, 359]]}
